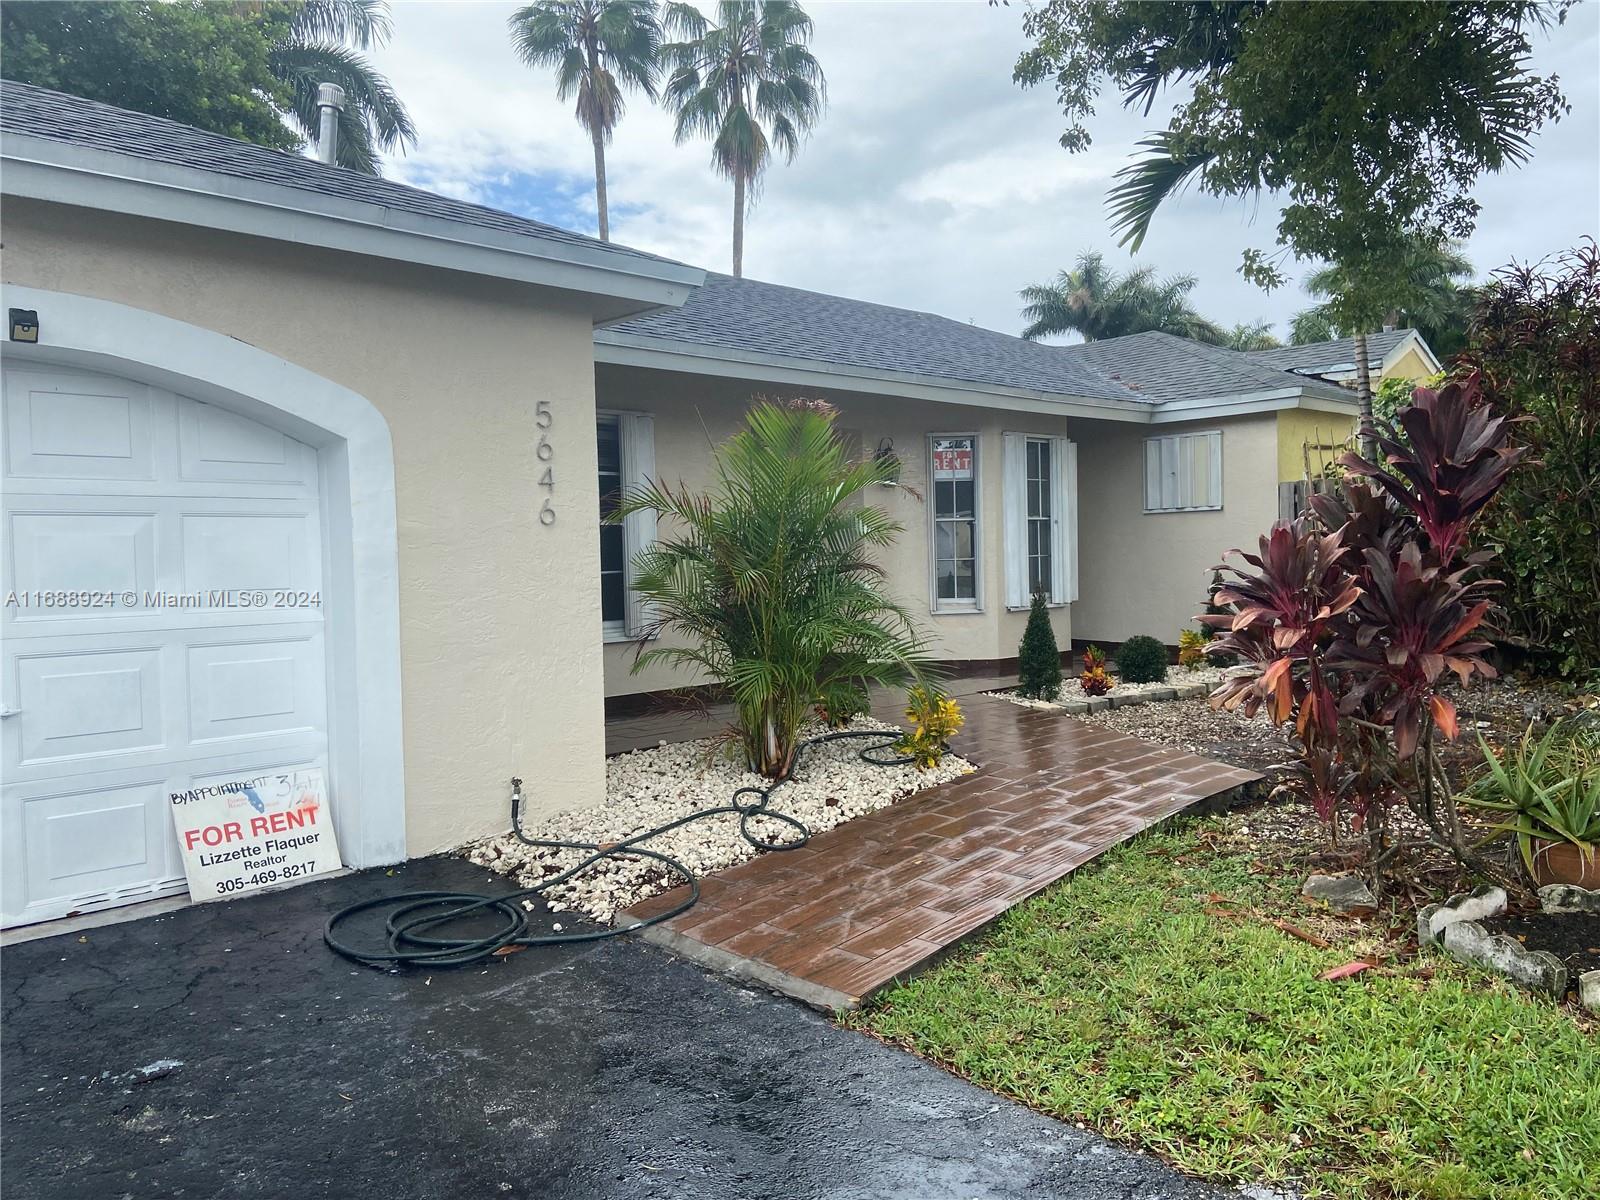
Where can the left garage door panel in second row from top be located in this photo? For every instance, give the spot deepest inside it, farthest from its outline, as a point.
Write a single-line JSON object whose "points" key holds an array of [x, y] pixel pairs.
{"points": [[79, 553]]}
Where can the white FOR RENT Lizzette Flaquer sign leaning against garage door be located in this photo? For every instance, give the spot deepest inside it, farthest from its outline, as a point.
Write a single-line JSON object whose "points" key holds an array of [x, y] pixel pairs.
{"points": [[255, 833]]}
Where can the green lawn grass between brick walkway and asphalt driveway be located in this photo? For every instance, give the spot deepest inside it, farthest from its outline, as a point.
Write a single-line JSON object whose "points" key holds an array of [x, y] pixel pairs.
{"points": [[1119, 1001]]}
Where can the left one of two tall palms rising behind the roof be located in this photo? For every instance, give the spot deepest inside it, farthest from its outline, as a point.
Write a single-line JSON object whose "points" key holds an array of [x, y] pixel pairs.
{"points": [[598, 49]]}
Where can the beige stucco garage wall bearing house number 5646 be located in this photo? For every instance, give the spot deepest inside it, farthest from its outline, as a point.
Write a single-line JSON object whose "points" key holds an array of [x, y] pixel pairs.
{"points": [[500, 655]]}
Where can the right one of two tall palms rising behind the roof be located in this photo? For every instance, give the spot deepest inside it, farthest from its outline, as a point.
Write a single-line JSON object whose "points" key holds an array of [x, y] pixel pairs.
{"points": [[748, 84]]}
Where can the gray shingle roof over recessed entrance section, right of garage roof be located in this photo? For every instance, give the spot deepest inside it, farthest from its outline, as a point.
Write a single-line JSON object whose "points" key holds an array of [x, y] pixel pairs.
{"points": [[766, 319]]}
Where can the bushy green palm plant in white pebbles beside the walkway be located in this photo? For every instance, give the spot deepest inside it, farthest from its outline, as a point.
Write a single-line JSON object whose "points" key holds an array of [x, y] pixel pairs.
{"points": [[770, 580]]}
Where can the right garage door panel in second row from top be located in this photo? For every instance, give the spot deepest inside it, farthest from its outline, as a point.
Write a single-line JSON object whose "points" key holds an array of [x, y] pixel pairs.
{"points": [[250, 551]]}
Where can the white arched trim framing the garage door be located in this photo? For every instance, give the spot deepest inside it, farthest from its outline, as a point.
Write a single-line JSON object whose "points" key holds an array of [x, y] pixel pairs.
{"points": [[356, 457]]}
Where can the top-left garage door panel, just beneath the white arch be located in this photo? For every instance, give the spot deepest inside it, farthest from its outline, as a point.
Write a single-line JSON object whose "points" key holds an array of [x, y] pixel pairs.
{"points": [[71, 426]]}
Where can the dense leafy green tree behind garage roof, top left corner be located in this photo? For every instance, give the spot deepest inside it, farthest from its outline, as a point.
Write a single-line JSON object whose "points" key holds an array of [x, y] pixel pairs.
{"points": [[196, 63]]}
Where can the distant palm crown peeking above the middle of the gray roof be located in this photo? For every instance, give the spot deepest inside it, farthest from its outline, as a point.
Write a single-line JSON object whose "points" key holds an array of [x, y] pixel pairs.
{"points": [[1097, 303]]}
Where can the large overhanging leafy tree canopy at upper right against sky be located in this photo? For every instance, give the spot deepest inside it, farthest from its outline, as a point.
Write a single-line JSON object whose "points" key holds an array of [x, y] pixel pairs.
{"points": [[1374, 121]]}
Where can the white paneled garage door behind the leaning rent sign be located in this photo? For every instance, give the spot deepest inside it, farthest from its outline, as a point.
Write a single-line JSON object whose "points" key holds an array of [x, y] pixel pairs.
{"points": [[142, 534]]}
